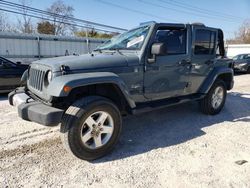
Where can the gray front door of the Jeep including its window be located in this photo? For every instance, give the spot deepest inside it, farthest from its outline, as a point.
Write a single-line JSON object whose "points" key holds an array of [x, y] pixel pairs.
{"points": [[168, 76]]}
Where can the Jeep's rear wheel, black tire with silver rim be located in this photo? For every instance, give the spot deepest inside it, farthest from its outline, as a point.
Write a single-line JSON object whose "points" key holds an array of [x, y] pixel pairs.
{"points": [[208, 105]]}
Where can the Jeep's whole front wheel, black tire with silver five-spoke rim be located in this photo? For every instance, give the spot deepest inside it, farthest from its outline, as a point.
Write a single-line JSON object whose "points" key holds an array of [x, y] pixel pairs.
{"points": [[82, 131]]}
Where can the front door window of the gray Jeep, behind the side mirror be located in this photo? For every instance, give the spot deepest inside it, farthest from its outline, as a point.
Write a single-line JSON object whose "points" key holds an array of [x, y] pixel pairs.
{"points": [[176, 40]]}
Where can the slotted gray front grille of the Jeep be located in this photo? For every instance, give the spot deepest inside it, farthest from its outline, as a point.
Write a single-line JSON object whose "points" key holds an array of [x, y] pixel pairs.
{"points": [[36, 78]]}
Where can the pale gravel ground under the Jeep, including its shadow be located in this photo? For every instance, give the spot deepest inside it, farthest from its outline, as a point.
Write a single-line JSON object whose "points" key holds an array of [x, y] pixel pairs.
{"points": [[173, 147]]}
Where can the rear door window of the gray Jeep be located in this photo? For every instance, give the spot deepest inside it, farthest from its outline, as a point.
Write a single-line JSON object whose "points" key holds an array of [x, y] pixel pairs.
{"points": [[204, 42]]}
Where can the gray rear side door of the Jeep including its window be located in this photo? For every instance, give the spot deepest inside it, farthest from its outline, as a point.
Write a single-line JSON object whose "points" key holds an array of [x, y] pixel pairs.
{"points": [[204, 43]]}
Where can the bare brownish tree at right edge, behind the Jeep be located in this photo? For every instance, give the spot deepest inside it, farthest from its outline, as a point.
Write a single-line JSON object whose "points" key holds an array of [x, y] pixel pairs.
{"points": [[243, 34]]}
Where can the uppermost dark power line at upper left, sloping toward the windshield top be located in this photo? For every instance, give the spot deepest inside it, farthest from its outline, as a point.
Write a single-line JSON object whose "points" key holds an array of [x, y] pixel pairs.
{"points": [[47, 13]]}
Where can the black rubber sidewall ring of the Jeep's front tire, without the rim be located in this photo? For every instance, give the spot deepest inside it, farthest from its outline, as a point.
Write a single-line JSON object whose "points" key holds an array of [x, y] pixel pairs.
{"points": [[74, 132]]}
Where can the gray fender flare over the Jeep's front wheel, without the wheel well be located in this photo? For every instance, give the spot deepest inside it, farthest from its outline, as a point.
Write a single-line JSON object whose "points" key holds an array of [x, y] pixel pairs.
{"points": [[56, 86]]}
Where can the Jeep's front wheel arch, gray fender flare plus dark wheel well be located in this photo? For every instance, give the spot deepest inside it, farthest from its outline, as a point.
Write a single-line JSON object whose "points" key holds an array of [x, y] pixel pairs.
{"points": [[104, 84]]}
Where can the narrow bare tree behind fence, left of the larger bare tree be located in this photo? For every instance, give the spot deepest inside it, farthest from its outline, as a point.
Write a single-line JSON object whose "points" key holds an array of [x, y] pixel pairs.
{"points": [[25, 24]]}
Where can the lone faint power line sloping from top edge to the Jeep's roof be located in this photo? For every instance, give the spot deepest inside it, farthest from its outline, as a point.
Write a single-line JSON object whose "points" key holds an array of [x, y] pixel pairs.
{"points": [[134, 10]]}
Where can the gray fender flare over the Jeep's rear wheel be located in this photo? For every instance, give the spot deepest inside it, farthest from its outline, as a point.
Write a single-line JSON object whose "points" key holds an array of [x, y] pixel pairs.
{"points": [[217, 72]]}
